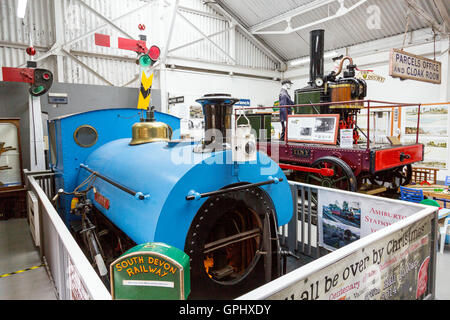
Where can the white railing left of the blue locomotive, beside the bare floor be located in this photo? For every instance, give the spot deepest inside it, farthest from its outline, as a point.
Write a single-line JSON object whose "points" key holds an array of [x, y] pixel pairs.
{"points": [[73, 276]]}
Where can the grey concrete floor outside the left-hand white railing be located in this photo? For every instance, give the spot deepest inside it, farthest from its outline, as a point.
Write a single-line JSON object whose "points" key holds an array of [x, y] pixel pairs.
{"points": [[17, 252]]}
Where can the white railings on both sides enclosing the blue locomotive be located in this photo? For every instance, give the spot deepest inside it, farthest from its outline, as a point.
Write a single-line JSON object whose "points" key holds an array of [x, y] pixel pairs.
{"points": [[75, 278]]}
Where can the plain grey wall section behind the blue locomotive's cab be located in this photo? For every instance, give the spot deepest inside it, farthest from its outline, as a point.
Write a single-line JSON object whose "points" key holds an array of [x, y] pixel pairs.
{"points": [[82, 98]]}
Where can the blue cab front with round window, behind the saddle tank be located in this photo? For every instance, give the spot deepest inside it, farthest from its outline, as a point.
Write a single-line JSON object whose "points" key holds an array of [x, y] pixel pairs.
{"points": [[111, 124]]}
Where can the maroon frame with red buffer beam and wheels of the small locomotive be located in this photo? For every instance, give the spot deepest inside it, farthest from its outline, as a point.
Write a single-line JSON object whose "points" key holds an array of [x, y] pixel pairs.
{"points": [[382, 166]]}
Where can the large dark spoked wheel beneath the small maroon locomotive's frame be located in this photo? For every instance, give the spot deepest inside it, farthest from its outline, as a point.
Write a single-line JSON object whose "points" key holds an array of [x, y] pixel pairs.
{"points": [[343, 177]]}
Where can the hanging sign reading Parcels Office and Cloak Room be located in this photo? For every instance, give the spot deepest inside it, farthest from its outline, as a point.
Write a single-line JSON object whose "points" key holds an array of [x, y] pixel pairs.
{"points": [[405, 65]]}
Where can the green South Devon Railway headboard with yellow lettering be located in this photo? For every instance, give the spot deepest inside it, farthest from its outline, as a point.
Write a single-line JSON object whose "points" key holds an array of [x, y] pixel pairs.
{"points": [[151, 271]]}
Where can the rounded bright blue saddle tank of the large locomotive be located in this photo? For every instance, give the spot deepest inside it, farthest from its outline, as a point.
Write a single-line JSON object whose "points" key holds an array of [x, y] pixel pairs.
{"points": [[168, 172]]}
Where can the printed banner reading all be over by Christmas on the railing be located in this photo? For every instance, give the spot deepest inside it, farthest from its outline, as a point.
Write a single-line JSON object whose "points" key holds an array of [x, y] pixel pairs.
{"points": [[396, 267]]}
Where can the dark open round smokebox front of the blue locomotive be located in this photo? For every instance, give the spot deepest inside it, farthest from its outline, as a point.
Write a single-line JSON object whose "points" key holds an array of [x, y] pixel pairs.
{"points": [[225, 244]]}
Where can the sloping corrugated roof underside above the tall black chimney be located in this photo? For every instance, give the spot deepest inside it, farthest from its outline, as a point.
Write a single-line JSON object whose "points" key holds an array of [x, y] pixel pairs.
{"points": [[350, 29]]}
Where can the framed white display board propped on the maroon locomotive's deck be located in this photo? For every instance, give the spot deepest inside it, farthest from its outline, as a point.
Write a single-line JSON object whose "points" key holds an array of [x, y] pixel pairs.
{"points": [[312, 128]]}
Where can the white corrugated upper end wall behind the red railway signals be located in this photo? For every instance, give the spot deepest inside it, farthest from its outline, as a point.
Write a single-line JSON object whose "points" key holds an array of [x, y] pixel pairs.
{"points": [[115, 66]]}
